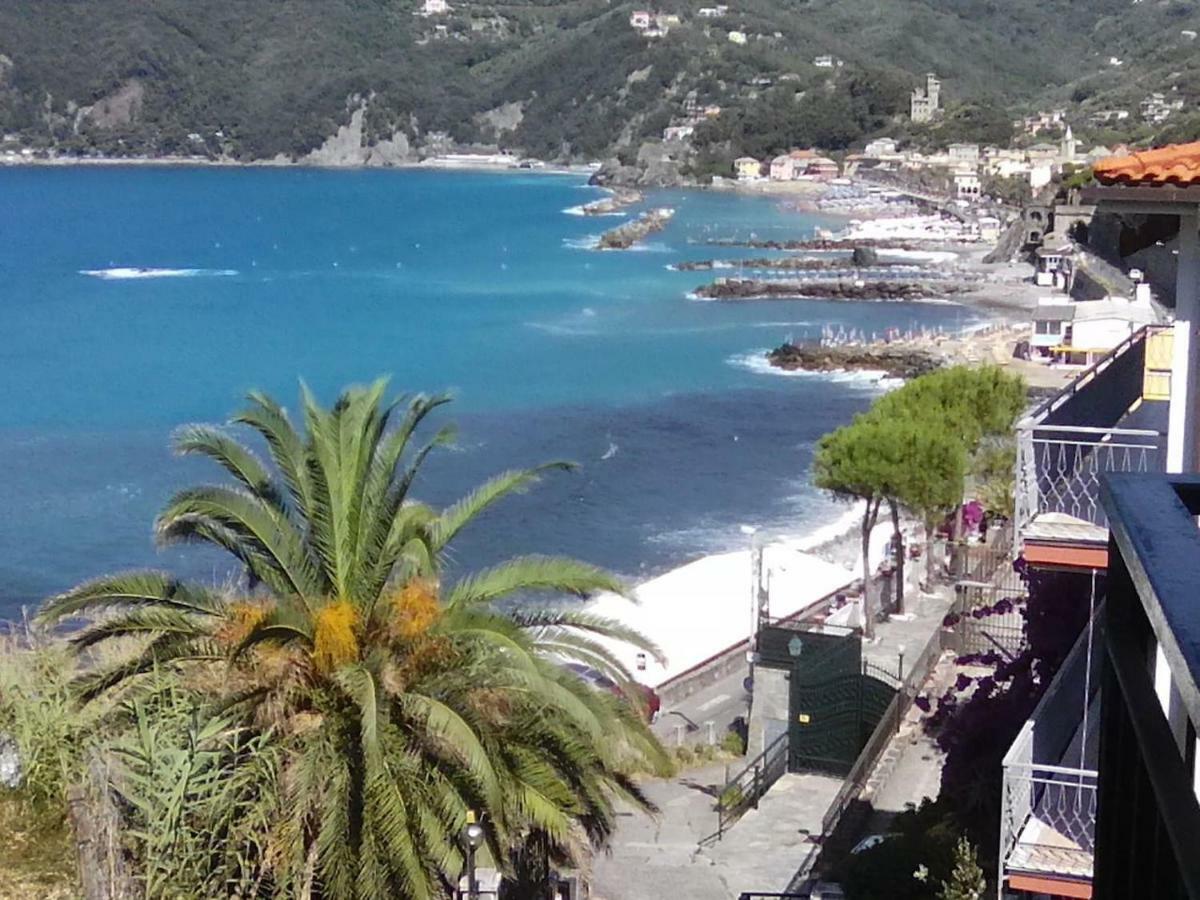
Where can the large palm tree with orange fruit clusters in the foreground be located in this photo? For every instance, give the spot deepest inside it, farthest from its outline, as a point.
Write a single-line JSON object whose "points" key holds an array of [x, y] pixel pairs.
{"points": [[401, 704]]}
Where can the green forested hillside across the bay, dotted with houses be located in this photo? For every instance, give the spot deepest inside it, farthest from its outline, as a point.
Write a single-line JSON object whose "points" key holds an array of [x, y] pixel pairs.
{"points": [[556, 80]]}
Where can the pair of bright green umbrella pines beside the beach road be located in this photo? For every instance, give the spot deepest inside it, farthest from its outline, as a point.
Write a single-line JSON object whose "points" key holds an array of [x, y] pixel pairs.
{"points": [[913, 448]]}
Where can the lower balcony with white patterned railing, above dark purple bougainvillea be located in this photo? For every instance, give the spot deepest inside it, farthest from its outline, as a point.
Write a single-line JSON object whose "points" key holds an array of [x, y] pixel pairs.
{"points": [[1048, 812]]}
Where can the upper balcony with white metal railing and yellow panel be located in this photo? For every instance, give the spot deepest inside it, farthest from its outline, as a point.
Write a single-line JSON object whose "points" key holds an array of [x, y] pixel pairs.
{"points": [[1112, 419]]}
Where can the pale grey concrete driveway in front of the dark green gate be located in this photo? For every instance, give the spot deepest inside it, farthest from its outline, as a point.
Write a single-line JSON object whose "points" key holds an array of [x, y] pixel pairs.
{"points": [[761, 853]]}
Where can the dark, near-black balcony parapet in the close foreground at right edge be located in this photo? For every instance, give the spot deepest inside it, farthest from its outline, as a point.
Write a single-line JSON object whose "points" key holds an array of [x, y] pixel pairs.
{"points": [[1149, 815]]}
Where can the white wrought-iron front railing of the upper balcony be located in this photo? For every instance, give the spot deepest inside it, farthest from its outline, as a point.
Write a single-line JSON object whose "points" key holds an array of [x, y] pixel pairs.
{"points": [[1059, 469]]}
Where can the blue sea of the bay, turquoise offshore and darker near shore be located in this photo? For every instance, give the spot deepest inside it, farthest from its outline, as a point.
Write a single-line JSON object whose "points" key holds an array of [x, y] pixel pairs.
{"points": [[134, 301]]}
